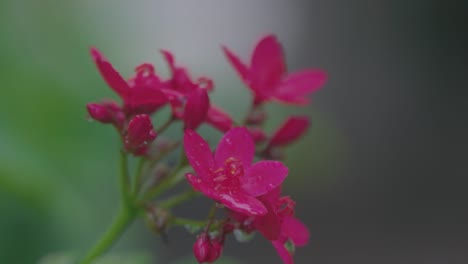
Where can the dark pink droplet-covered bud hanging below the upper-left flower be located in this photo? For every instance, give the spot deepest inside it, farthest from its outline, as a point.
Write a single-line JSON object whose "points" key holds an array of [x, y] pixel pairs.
{"points": [[139, 134]]}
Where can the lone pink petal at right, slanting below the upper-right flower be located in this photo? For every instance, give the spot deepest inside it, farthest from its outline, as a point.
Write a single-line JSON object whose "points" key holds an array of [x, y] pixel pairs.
{"points": [[292, 129]]}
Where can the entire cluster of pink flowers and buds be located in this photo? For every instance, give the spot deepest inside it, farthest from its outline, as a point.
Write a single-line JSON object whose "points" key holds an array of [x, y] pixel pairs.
{"points": [[242, 175]]}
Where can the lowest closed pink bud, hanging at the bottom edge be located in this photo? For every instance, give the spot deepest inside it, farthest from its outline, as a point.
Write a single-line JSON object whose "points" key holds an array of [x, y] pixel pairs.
{"points": [[207, 250]]}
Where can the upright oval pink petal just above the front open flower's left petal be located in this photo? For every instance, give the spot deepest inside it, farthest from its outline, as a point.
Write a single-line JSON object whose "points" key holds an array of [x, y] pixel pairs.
{"points": [[196, 108]]}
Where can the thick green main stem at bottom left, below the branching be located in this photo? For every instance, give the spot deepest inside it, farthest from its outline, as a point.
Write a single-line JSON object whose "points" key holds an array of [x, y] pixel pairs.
{"points": [[118, 226]]}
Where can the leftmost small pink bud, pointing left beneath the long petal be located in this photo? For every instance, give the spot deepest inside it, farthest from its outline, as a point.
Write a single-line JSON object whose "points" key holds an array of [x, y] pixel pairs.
{"points": [[107, 112]]}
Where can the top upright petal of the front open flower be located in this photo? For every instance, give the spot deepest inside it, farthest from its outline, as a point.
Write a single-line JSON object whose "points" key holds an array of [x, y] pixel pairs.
{"points": [[236, 143]]}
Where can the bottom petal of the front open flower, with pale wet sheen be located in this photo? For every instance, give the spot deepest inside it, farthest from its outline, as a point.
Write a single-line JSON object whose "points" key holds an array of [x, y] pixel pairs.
{"points": [[242, 203]]}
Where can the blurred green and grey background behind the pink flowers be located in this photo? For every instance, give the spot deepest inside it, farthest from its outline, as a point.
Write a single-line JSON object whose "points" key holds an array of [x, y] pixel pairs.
{"points": [[380, 178]]}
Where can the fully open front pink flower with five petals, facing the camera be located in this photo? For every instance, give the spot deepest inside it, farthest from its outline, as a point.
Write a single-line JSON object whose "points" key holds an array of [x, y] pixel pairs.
{"points": [[229, 176]]}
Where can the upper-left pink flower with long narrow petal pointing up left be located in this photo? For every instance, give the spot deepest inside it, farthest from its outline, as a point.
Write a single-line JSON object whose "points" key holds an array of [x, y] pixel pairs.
{"points": [[141, 95]]}
